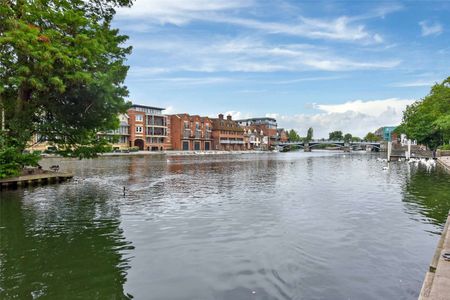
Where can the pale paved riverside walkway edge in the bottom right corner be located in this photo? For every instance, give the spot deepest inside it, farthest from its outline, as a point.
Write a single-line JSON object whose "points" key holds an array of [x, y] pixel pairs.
{"points": [[436, 285]]}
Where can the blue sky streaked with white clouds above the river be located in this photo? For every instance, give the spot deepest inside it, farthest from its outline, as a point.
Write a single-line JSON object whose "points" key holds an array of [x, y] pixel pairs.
{"points": [[331, 65]]}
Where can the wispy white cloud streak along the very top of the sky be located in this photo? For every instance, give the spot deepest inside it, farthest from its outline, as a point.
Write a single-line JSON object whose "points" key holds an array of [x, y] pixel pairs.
{"points": [[182, 12]]}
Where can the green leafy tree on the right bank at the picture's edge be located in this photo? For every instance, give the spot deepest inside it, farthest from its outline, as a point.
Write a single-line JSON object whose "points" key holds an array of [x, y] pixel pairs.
{"points": [[428, 120]]}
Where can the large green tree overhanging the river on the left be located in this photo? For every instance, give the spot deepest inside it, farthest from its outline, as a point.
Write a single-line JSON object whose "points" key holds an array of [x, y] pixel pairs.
{"points": [[62, 72]]}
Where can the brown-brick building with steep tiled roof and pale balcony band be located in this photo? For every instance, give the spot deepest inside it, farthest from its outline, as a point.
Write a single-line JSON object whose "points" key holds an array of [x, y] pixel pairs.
{"points": [[227, 134]]}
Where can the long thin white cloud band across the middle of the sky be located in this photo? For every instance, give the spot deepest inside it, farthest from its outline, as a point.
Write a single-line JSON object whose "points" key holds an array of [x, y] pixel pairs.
{"points": [[244, 54]]}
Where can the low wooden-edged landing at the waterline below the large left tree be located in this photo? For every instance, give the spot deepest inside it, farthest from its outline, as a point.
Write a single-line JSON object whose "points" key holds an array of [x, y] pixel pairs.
{"points": [[34, 179]]}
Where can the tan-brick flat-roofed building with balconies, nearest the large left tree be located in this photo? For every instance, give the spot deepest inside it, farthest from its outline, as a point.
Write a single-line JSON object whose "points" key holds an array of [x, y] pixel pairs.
{"points": [[148, 128]]}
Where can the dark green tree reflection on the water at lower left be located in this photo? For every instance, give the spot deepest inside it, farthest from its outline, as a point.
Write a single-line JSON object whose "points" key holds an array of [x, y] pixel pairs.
{"points": [[61, 243]]}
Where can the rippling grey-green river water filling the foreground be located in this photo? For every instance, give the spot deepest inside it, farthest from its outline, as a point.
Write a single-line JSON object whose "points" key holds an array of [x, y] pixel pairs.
{"points": [[299, 225]]}
